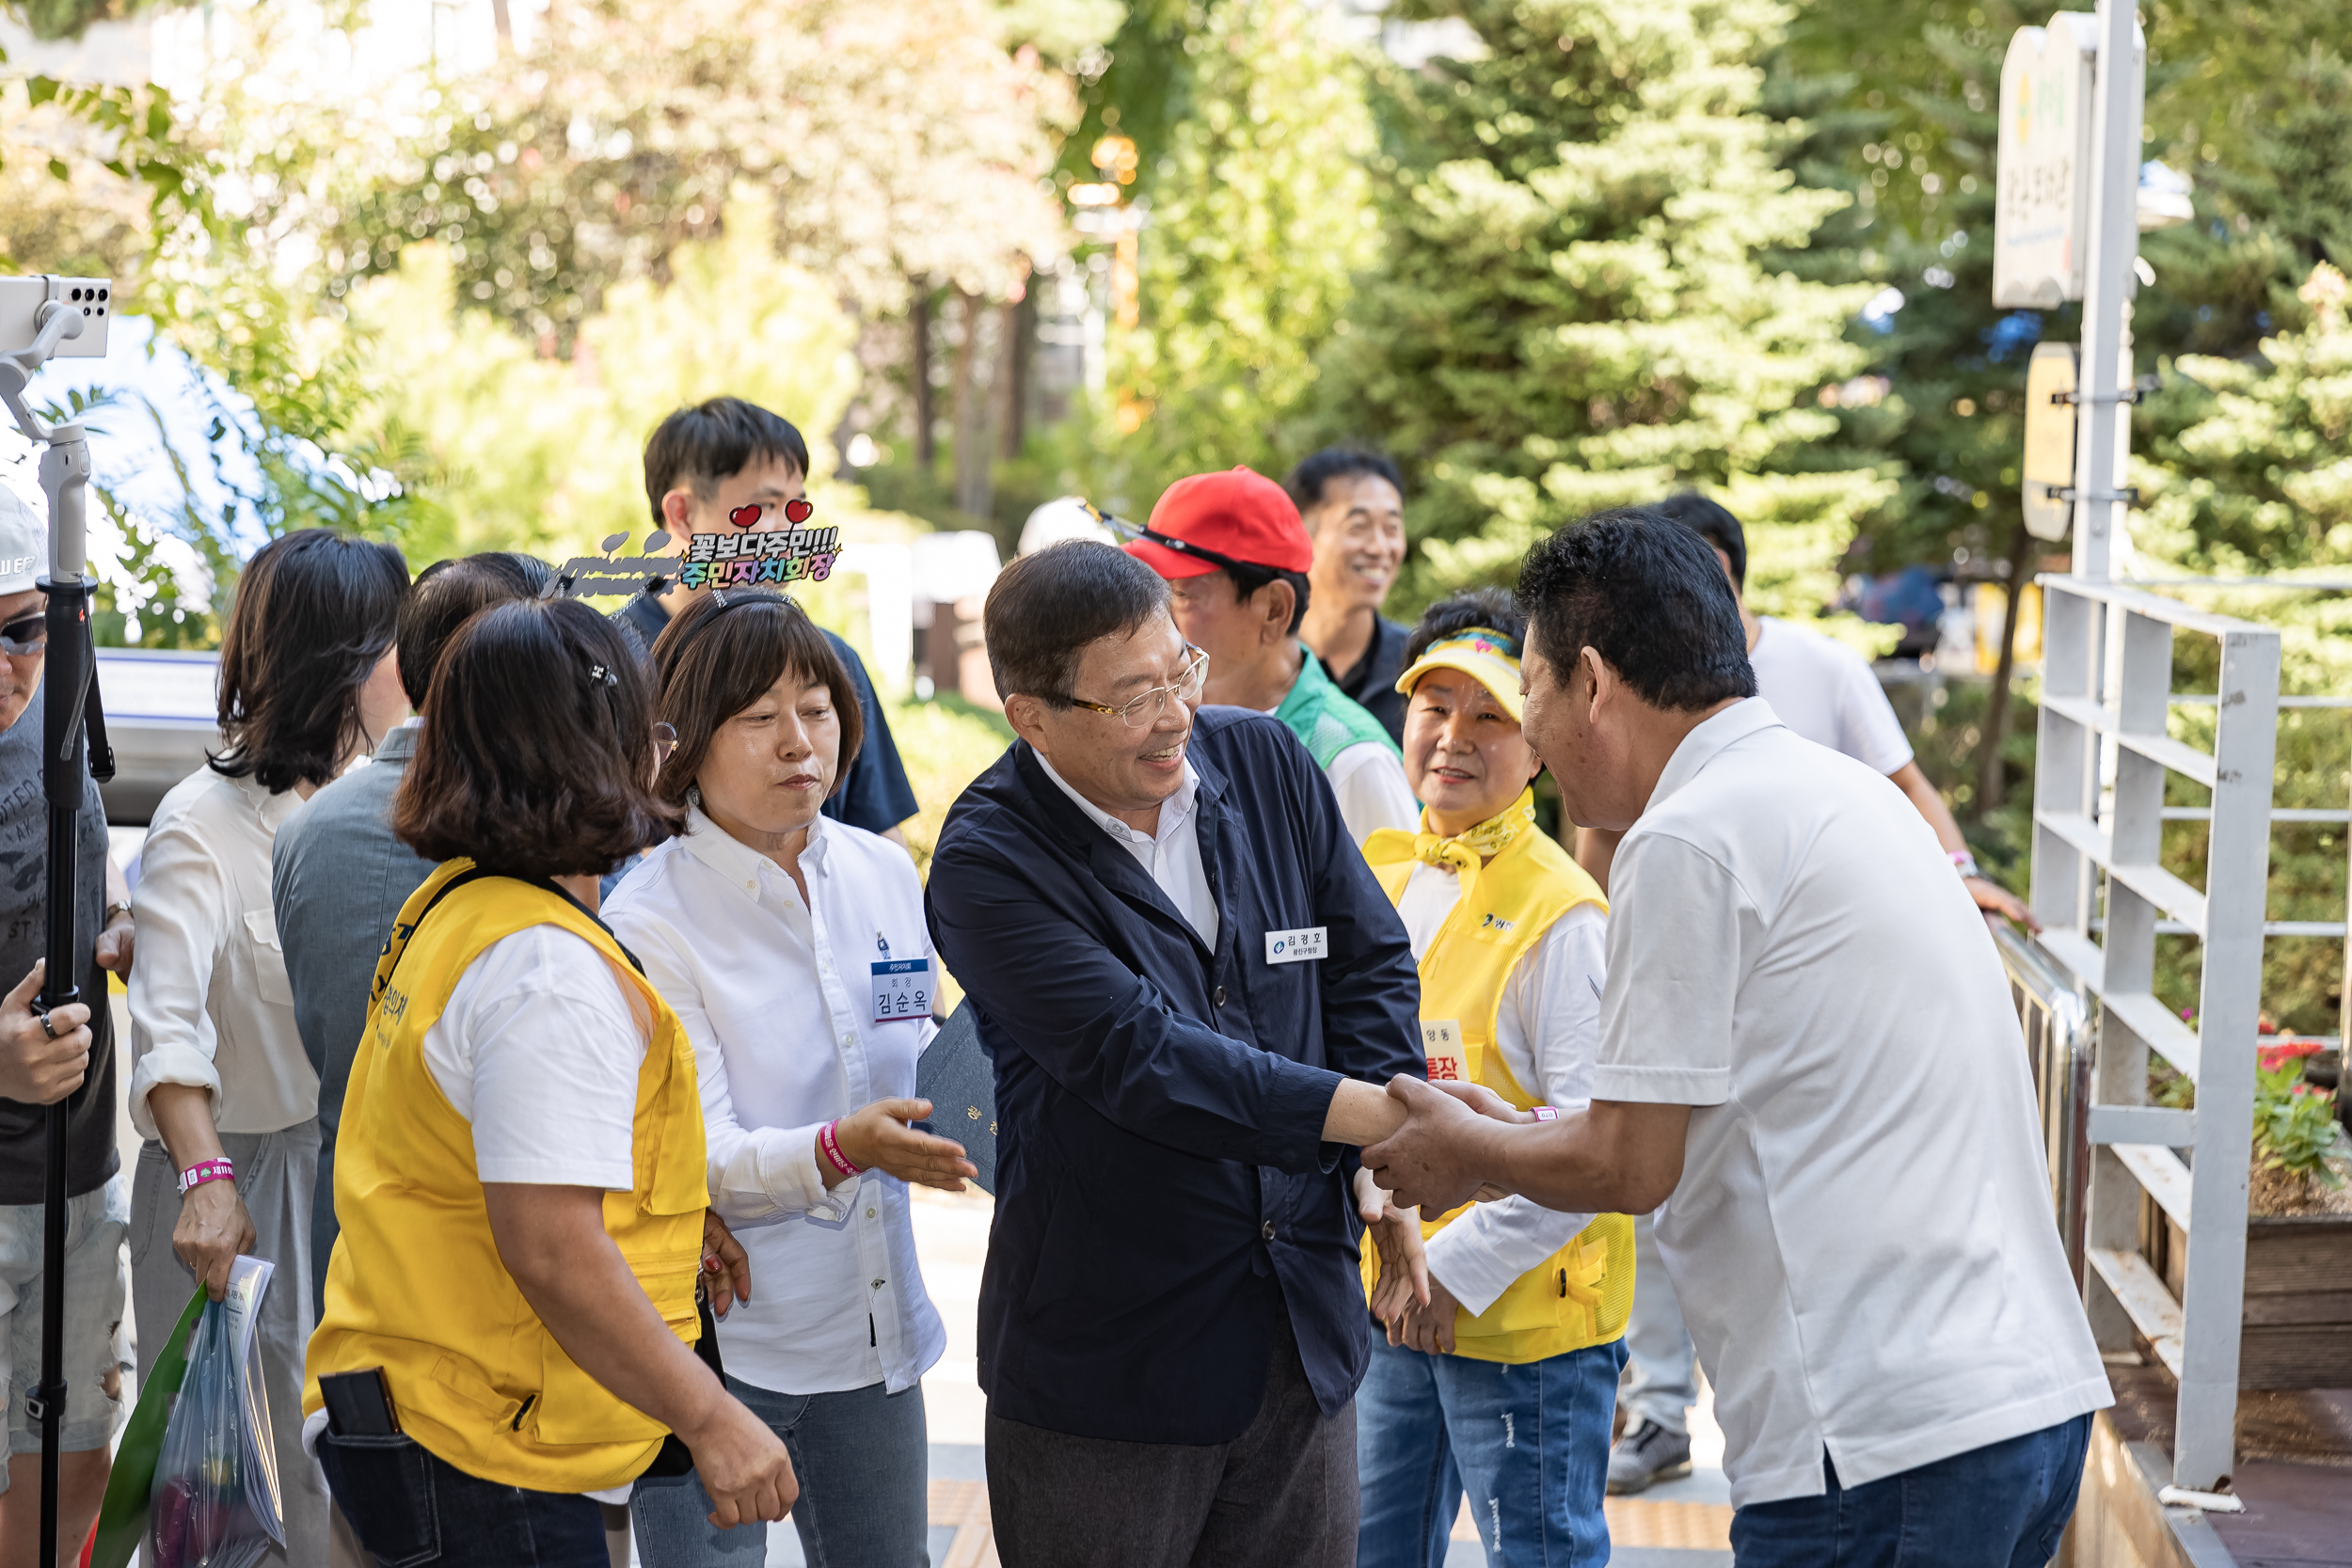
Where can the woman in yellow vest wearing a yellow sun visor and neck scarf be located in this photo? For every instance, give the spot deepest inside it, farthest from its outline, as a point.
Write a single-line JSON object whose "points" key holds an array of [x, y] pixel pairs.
{"points": [[1504, 1386]]}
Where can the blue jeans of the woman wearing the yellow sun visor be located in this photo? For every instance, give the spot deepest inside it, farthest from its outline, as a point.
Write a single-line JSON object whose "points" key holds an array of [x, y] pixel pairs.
{"points": [[1528, 1442]]}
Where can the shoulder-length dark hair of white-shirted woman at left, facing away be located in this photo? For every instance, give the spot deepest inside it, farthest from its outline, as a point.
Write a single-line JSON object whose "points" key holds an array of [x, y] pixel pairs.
{"points": [[314, 615]]}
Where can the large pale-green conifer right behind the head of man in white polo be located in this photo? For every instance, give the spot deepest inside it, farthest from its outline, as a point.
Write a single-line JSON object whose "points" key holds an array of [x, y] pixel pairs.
{"points": [[1577, 302]]}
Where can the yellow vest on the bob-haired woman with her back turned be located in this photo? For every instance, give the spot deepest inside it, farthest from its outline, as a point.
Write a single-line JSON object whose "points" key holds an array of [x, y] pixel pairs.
{"points": [[417, 1285]]}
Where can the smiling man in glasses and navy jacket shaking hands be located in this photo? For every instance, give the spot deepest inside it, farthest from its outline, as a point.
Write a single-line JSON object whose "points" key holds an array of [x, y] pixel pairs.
{"points": [[1191, 989]]}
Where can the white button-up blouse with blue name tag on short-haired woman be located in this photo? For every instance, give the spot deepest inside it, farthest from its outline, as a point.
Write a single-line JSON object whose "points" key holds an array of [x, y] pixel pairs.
{"points": [[780, 1000]]}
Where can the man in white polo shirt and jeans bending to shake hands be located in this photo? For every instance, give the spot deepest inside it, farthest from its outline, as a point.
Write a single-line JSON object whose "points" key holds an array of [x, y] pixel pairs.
{"points": [[1843, 1139]]}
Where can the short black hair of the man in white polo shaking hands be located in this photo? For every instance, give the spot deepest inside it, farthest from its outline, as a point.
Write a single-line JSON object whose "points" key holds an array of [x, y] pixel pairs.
{"points": [[1650, 598]]}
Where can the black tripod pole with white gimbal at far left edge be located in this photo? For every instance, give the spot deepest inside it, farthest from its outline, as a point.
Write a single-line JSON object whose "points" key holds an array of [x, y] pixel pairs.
{"points": [[69, 706]]}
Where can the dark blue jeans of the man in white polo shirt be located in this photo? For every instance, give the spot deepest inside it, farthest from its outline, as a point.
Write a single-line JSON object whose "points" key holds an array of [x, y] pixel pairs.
{"points": [[2000, 1506]]}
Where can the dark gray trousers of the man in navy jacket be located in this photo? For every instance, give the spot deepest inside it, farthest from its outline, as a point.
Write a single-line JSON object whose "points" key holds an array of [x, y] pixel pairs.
{"points": [[1278, 1496]]}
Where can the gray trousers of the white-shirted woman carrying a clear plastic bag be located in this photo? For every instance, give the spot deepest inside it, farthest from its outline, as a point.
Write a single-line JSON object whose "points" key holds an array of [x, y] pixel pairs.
{"points": [[274, 1177]]}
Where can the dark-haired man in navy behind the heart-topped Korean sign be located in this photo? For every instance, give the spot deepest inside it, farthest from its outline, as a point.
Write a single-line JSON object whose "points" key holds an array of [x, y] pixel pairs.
{"points": [[702, 467]]}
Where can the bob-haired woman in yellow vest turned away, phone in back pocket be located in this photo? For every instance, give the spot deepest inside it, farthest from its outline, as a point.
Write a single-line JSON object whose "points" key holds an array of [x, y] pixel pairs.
{"points": [[509, 1332]]}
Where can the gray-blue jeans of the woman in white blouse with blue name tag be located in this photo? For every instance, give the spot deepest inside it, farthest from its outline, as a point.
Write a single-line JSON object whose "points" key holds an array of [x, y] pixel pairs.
{"points": [[862, 1461]]}
